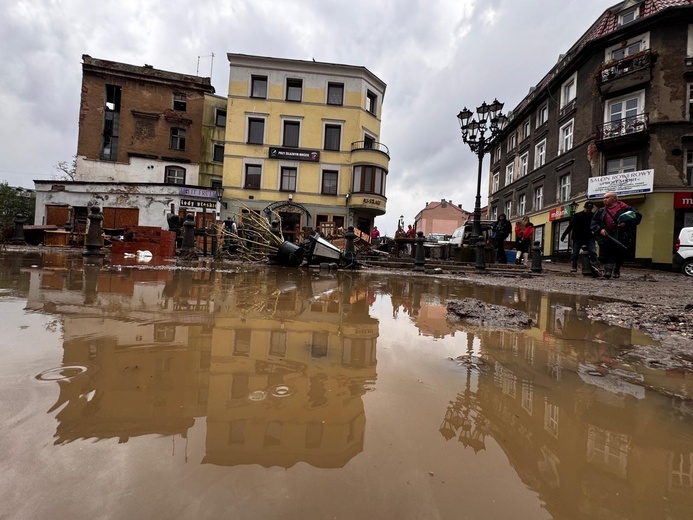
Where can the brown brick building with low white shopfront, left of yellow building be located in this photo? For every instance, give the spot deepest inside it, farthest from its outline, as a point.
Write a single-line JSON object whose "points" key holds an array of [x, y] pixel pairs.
{"points": [[139, 148]]}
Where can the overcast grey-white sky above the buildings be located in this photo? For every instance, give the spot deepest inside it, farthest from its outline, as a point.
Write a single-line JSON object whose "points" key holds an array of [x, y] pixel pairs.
{"points": [[435, 56]]}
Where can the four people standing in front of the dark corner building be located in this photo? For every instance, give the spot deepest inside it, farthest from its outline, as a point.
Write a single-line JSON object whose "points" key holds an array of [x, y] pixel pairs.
{"points": [[611, 226]]}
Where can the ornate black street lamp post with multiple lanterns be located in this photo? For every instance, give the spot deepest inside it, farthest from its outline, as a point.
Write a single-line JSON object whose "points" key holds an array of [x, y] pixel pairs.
{"points": [[480, 135]]}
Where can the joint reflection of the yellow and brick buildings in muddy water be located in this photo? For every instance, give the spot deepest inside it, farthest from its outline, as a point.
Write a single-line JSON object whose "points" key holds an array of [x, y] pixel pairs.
{"points": [[276, 360]]}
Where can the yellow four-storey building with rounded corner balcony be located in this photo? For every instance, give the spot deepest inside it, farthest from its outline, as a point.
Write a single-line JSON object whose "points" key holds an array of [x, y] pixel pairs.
{"points": [[303, 140]]}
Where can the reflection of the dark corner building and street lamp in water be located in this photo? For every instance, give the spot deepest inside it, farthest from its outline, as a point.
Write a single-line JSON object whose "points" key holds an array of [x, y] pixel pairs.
{"points": [[591, 446]]}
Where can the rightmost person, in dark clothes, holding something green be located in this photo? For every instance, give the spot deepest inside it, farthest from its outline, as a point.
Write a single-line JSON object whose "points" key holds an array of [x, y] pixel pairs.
{"points": [[614, 226]]}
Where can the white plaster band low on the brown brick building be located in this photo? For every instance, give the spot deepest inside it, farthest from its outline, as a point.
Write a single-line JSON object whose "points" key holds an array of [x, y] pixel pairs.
{"points": [[138, 170]]}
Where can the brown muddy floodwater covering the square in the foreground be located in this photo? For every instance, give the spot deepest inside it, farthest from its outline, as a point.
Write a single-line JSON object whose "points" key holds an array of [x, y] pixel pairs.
{"points": [[258, 393]]}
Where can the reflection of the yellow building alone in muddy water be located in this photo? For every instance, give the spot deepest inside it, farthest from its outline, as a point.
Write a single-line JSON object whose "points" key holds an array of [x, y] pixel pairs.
{"points": [[288, 374]]}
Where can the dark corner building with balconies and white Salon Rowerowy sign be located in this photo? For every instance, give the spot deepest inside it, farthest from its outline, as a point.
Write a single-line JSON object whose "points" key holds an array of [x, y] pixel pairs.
{"points": [[614, 114]]}
